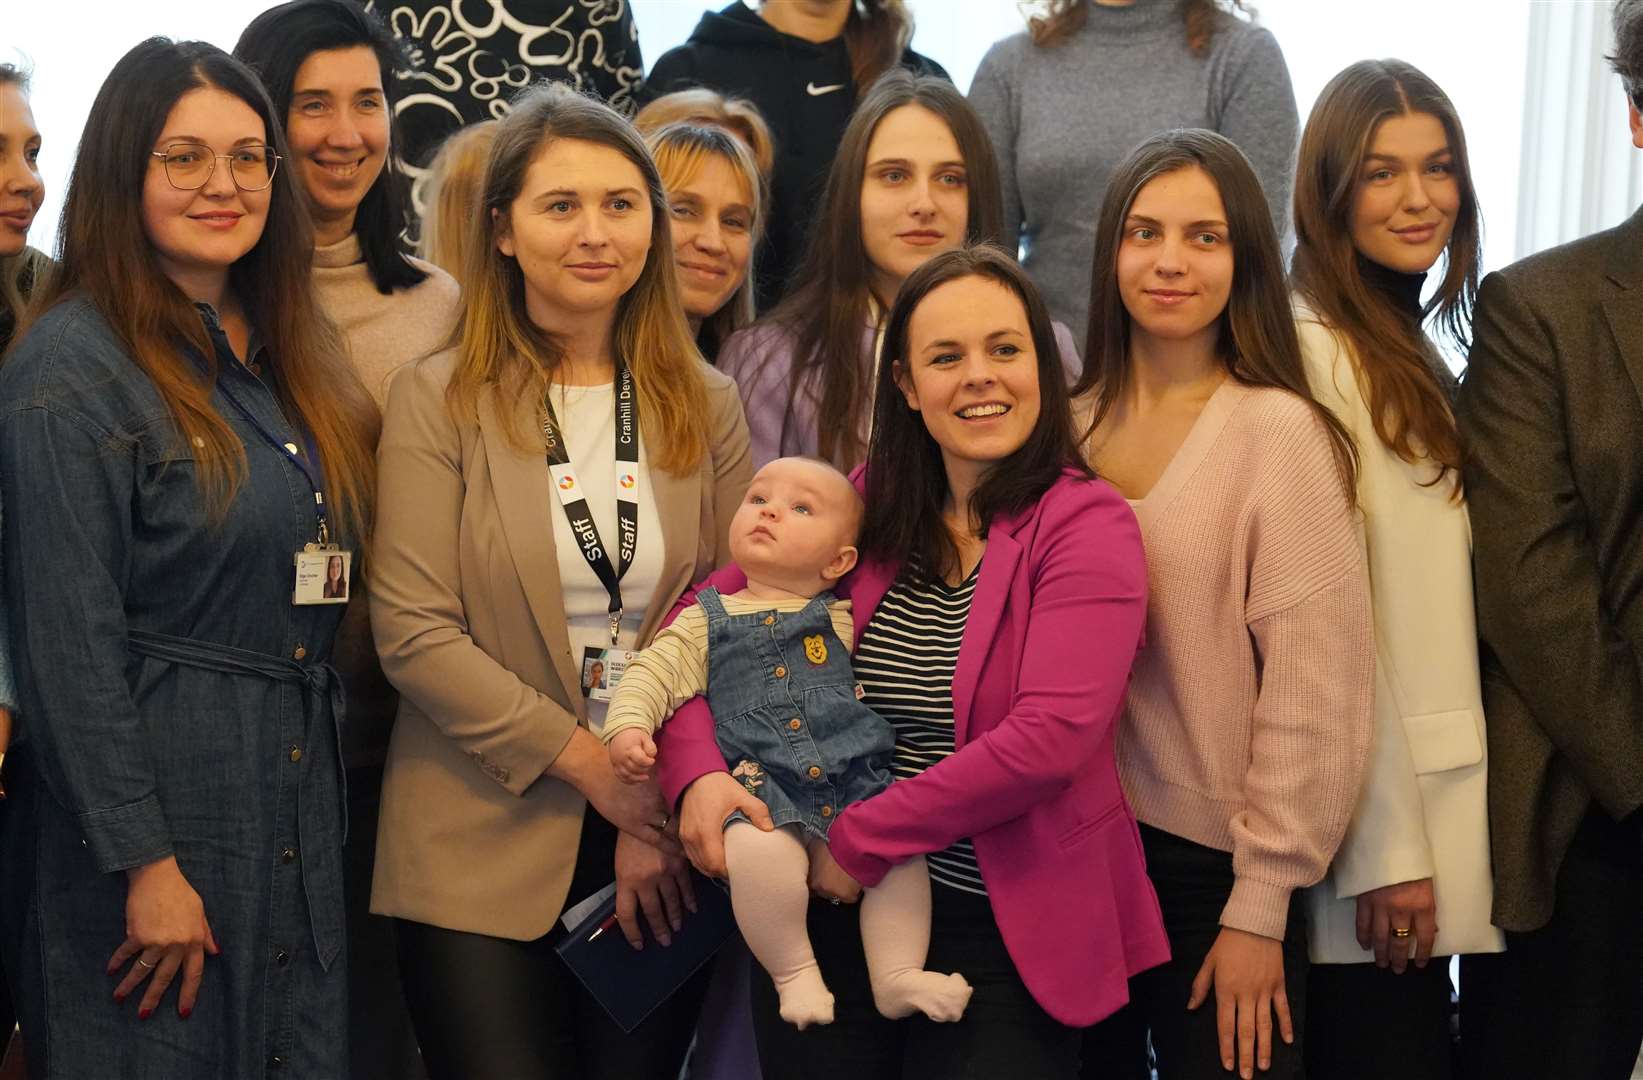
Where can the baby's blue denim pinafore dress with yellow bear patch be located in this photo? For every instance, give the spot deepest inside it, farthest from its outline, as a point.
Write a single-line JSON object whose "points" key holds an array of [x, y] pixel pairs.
{"points": [[786, 713]]}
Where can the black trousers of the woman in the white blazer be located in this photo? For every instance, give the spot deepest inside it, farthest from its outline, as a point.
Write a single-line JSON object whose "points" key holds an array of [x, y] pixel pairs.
{"points": [[1366, 1023]]}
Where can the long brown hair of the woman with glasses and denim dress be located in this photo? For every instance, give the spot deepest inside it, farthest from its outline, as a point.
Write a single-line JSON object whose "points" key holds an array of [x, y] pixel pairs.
{"points": [[108, 259]]}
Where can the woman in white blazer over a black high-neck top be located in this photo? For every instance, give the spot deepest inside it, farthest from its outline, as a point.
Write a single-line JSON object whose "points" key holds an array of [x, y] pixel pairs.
{"points": [[1383, 193]]}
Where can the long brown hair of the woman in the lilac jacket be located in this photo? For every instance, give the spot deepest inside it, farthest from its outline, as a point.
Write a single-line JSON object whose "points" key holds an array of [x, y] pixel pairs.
{"points": [[827, 310]]}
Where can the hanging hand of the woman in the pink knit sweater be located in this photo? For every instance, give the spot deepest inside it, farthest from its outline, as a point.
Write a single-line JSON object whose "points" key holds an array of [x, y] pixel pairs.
{"points": [[1246, 972]]}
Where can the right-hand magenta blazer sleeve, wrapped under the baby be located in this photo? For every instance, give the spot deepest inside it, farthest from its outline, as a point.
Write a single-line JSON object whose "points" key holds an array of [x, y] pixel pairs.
{"points": [[1080, 583]]}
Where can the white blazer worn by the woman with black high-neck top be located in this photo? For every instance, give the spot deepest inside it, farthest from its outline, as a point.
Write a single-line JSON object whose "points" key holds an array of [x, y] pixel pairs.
{"points": [[1424, 811]]}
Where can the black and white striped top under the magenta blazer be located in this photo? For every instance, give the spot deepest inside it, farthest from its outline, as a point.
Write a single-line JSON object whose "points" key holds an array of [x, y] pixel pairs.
{"points": [[906, 665]]}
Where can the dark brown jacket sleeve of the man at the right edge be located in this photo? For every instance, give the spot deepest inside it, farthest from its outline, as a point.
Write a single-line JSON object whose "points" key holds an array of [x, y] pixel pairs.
{"points": [[1540, 598]]}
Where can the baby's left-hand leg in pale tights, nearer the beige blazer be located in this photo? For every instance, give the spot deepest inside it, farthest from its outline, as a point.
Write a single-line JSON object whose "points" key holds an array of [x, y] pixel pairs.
{"points": [[770, 893]]}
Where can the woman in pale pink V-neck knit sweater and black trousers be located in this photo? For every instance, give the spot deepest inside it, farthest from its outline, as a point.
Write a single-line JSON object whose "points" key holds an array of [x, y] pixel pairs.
{"points": [[1248, 721]]}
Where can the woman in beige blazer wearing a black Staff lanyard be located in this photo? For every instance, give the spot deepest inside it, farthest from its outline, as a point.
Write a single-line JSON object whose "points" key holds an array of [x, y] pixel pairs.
{"points": [[490, 606]]}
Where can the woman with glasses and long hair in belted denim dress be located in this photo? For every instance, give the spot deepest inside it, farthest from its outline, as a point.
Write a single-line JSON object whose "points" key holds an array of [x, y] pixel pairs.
{"points": [[188, 445]]}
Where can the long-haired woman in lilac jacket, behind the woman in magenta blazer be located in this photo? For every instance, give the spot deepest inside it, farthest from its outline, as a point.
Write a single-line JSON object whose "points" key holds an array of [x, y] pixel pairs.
{"points": [[914, 177]]}
